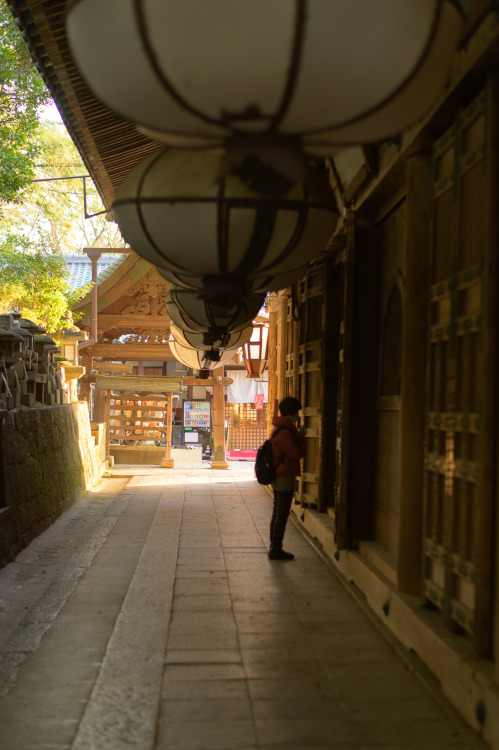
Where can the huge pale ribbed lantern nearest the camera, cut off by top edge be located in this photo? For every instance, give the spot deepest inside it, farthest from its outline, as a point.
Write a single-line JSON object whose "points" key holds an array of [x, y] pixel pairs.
{"points": [[323, 71]]}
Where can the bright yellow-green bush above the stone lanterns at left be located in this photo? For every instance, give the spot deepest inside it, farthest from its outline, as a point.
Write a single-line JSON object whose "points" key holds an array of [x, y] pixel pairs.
{"points": [[35, 282]]}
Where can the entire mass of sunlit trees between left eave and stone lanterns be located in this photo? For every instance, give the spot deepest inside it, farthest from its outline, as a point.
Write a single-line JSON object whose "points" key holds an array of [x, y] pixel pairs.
{"points": [[41, 218]]}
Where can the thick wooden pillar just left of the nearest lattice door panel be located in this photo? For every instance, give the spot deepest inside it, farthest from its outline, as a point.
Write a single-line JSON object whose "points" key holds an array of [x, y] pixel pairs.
{"points": [[413, 372]]}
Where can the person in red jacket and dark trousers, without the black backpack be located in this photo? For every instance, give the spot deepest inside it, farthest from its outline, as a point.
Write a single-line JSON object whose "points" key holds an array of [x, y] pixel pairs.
{"points": [[288, 446]]}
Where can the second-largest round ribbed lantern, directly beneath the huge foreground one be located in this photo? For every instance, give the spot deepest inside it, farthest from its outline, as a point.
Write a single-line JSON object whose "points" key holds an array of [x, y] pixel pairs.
{"points": [[178, 209]]}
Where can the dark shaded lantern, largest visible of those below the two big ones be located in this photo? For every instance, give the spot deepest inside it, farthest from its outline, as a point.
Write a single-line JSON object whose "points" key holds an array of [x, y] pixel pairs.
{"points": [[227, 313]]}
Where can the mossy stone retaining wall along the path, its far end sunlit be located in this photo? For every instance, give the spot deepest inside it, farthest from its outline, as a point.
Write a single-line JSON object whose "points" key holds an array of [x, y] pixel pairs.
{"points": [[48, 458]]}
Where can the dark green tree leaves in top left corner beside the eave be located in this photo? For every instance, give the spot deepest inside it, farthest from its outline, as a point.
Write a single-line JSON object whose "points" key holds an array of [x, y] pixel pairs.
{"points": [[22, 92]]}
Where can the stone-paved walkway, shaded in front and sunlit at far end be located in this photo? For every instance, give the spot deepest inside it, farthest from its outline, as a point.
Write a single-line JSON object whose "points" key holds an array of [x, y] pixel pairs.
{"points": [[150, 616]]}
